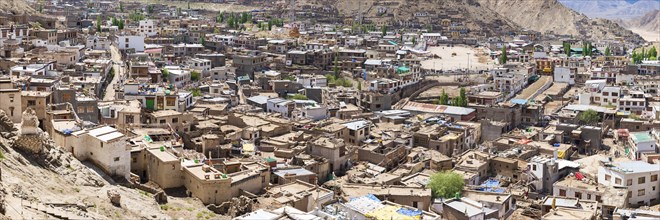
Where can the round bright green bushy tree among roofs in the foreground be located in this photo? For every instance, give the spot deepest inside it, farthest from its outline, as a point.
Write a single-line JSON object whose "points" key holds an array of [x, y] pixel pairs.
{"points": [[446, 184]]}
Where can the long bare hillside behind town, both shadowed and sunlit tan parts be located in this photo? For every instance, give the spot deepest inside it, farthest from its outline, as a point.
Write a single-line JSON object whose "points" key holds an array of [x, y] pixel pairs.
{"points": [[484, 17]]}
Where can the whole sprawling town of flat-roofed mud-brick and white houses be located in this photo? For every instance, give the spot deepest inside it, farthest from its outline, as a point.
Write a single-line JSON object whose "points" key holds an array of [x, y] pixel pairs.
{"points": [[324, 122]]}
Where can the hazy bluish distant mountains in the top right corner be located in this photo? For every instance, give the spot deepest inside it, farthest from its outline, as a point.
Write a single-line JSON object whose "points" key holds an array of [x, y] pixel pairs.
{"points": [[612, 9]]}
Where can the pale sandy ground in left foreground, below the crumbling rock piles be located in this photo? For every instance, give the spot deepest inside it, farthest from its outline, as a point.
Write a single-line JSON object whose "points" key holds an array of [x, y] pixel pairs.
{"points": [[29, 184]]}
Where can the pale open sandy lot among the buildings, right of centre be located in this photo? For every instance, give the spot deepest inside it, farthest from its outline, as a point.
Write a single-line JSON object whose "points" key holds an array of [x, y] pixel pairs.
{"points": [[477, 58]]}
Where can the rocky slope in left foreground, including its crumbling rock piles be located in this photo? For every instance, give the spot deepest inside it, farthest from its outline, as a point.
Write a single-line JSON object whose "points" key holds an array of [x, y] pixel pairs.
{"points": [[49, 183]]}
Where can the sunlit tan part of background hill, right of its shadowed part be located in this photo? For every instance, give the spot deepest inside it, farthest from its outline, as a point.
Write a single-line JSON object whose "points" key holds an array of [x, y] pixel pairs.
{"points": [[551, 16]]}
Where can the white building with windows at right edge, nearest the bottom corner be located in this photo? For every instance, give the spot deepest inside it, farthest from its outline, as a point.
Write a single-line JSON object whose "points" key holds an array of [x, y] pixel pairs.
{"points": [[640, 178]]}
